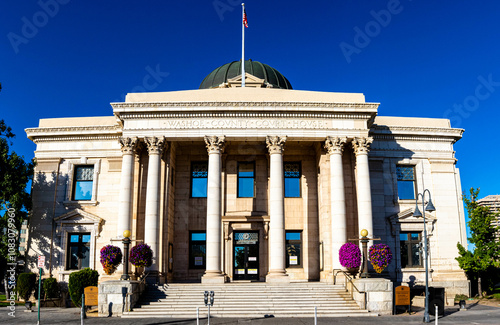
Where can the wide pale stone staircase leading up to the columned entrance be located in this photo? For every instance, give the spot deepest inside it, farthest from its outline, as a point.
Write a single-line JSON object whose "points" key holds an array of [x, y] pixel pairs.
{"points": [[244, 300]]}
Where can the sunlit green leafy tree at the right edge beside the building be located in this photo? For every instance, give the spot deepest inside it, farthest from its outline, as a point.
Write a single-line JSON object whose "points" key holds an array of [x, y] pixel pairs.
{"points": [[484, 262]]}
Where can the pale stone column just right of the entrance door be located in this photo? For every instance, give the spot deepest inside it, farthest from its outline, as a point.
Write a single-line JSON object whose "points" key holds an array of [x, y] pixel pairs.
{"points": [[277, 272]]}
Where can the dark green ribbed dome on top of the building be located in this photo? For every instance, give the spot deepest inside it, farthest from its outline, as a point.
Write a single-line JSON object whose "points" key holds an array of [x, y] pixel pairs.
{"points": [[230, 70]]}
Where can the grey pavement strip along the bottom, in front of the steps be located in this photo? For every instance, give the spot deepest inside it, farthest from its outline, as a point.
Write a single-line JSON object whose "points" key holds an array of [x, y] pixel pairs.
{"points": [[475, 314]]}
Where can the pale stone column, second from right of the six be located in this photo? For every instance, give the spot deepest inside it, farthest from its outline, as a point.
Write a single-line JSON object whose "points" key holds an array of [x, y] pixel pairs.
{"points": [[335, 146]]}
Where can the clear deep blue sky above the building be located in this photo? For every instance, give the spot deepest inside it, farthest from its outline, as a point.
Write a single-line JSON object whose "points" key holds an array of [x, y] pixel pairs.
{"points": [[417, 58]]}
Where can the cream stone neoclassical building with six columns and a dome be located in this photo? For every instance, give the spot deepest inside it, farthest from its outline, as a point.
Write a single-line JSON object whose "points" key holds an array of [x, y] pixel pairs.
{"points": [[262, 182]]}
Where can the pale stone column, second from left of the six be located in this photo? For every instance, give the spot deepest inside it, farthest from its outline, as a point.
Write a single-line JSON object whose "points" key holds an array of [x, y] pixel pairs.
{"points": [[151, 224]]}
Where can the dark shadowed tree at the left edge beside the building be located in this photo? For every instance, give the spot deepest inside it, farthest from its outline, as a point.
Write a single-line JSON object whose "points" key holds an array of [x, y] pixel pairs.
{"points": [[15, 201]]}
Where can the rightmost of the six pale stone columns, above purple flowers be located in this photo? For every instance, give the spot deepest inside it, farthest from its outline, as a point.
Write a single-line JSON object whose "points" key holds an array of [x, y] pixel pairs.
{"points": [[363, 190]]}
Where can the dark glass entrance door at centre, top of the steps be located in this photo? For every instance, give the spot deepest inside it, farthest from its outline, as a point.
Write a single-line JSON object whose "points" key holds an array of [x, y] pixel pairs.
{"points": [[246, 256]]}
